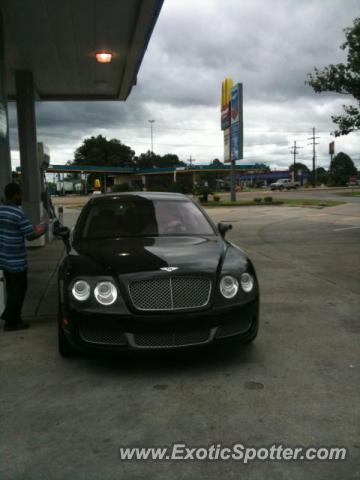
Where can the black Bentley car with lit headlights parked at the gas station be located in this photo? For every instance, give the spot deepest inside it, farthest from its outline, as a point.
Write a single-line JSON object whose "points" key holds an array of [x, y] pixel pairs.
{"points": [[152, 271]]}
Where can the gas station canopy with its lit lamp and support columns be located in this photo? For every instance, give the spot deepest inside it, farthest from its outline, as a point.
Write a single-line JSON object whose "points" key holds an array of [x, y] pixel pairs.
{"points": [[59, 51]]}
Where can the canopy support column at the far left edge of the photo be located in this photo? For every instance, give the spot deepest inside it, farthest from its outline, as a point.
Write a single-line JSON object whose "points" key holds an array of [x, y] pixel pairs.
{"points": [[5, 157]]}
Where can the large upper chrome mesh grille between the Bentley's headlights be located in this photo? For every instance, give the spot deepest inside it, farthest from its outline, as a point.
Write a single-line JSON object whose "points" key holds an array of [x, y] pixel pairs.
{"points": [[173, 293]]}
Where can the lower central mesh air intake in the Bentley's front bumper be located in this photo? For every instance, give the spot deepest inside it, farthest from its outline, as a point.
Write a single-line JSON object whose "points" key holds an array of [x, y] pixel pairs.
{"points": [[177, 339]]}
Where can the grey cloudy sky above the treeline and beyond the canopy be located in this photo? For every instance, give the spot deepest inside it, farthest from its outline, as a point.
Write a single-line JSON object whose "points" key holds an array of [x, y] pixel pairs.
{"points": [[269, 46]]}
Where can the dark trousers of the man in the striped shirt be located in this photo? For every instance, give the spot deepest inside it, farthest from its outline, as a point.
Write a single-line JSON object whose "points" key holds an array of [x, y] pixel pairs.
{"points": [[16, 285]]}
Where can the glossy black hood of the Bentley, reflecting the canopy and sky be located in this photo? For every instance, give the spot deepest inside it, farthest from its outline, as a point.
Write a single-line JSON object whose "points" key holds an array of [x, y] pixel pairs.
{"points": [[132, 255]]}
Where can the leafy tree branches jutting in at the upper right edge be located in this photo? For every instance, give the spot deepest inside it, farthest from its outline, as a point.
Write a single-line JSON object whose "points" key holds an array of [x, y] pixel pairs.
{"points": [[343, 78]]}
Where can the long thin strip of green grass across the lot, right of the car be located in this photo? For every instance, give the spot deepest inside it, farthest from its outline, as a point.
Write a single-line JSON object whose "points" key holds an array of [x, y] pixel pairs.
{"points": [[293, 202]]}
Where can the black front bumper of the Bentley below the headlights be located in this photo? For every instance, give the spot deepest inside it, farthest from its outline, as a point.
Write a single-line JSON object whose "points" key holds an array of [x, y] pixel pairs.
{"points": [[105, 333]]}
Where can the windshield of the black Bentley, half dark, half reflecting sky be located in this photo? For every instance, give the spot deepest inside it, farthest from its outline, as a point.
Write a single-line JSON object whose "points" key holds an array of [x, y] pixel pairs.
{"points": [[134, 217]]}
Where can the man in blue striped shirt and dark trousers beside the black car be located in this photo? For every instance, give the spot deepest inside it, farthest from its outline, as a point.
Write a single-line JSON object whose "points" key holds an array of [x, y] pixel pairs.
{"points": [[15, 227]]}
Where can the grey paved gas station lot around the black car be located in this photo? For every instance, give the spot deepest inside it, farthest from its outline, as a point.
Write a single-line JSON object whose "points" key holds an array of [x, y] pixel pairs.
{"points": [[297, 385]]}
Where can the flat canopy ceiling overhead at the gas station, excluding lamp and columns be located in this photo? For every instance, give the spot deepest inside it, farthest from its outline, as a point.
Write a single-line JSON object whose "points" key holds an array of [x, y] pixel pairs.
{"points": [[58, 40]]}
